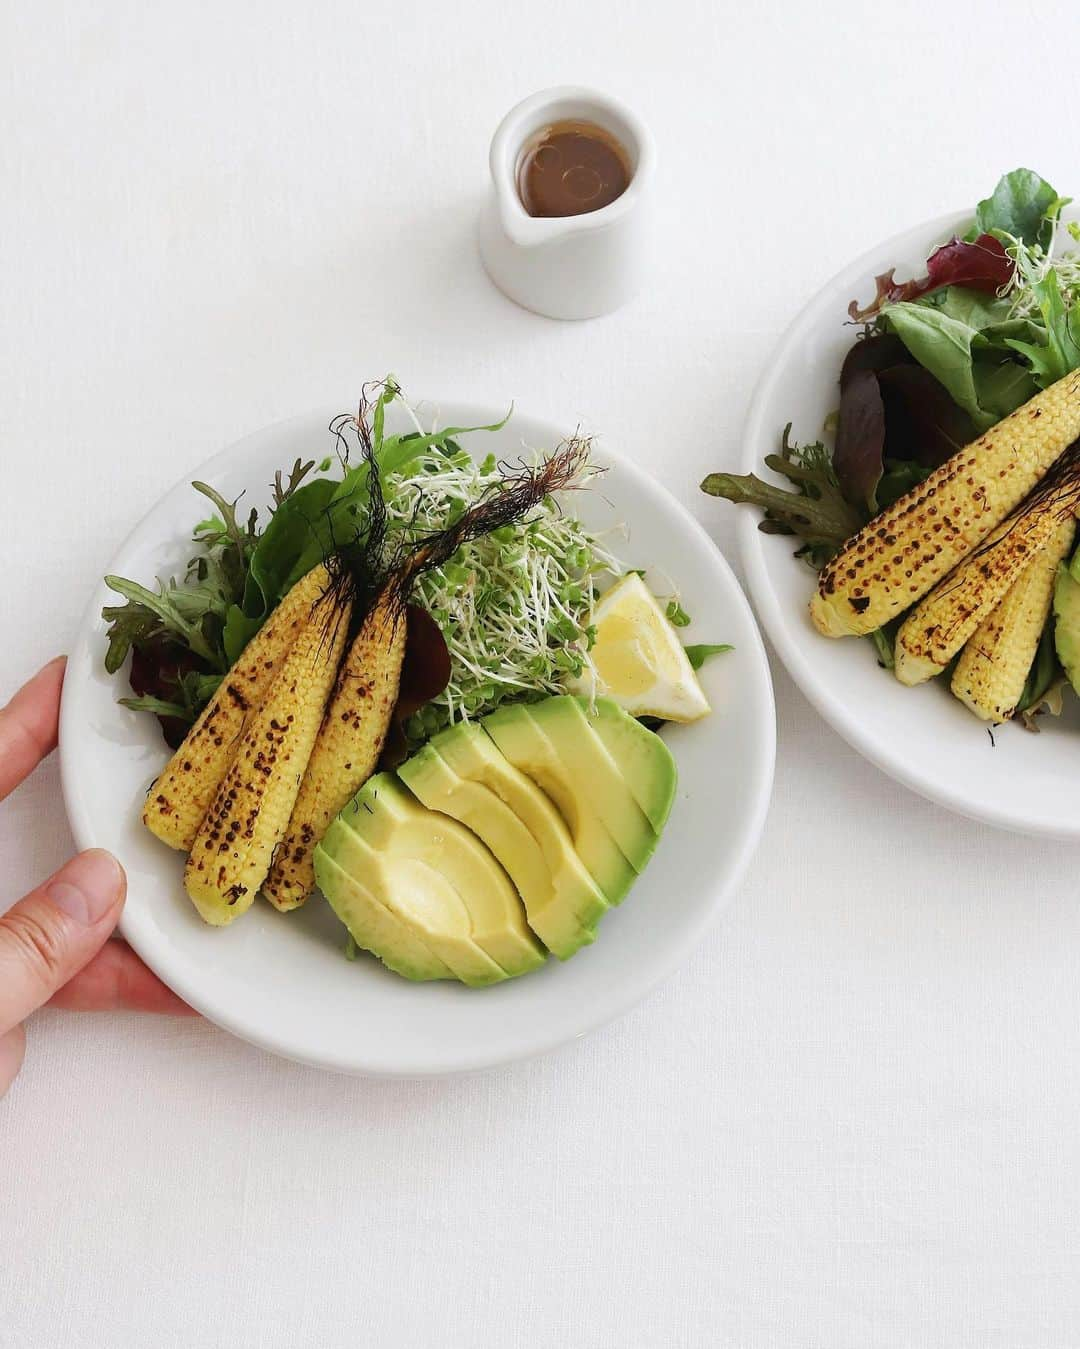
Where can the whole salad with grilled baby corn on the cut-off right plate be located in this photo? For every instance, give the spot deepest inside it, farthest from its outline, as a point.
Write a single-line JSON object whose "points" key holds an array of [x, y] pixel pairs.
{"points": [[942, 520]]}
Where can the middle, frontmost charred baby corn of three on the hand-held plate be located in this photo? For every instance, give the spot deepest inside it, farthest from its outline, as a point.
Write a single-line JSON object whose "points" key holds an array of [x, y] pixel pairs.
{"points": [[253, 805]]}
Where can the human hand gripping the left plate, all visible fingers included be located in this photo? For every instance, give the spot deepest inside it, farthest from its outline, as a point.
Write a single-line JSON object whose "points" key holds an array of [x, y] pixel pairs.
{"points": [[55, 944]]}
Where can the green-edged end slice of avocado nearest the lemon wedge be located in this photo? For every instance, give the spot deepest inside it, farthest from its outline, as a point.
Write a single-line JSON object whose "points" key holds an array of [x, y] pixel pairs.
{"points": [[640, 755]]}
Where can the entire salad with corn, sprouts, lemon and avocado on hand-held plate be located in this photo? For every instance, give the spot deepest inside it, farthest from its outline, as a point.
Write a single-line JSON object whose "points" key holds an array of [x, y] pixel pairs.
{"points": [[408, 689]]}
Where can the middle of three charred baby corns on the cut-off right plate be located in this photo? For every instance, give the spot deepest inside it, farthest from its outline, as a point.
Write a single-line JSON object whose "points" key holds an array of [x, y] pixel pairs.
{"points": [[938, 628]]}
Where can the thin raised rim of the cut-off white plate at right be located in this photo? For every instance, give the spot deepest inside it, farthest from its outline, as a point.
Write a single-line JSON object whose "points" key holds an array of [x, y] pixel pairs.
{"points": [[775, 619]]}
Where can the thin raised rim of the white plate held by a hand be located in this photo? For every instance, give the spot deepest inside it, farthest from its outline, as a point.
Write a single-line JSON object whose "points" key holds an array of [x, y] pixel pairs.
{"points": [[634, 994]]}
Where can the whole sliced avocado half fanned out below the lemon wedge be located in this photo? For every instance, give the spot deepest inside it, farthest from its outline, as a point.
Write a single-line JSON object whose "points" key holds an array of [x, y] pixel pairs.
{"points": [[527, 826]]}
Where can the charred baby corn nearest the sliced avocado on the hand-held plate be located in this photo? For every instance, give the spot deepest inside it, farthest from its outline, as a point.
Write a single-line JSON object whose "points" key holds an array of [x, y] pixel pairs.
{"points": [[347, 751]]}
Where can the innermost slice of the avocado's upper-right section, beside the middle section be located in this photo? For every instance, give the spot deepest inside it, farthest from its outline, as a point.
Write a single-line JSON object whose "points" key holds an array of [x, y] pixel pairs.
{"points": [[578, 778]]}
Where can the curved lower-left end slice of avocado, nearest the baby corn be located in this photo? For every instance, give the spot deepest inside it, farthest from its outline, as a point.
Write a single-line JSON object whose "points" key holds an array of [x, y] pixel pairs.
{"points": [[373, 926]]}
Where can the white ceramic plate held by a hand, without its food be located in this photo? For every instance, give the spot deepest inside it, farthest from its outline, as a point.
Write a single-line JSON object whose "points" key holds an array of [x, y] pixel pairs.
{"points": [[282, 980]]}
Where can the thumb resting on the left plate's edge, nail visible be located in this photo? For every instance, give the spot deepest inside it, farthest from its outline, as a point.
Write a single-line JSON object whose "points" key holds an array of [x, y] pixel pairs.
{"points": [[48, 938]]}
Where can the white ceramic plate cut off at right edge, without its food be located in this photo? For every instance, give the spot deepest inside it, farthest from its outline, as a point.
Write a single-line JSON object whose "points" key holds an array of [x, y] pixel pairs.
{"points": [[923, 737]]}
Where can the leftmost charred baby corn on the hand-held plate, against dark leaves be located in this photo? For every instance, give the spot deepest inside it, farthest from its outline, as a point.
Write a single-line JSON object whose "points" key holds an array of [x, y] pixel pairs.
{"points": [[181, 797]]}
